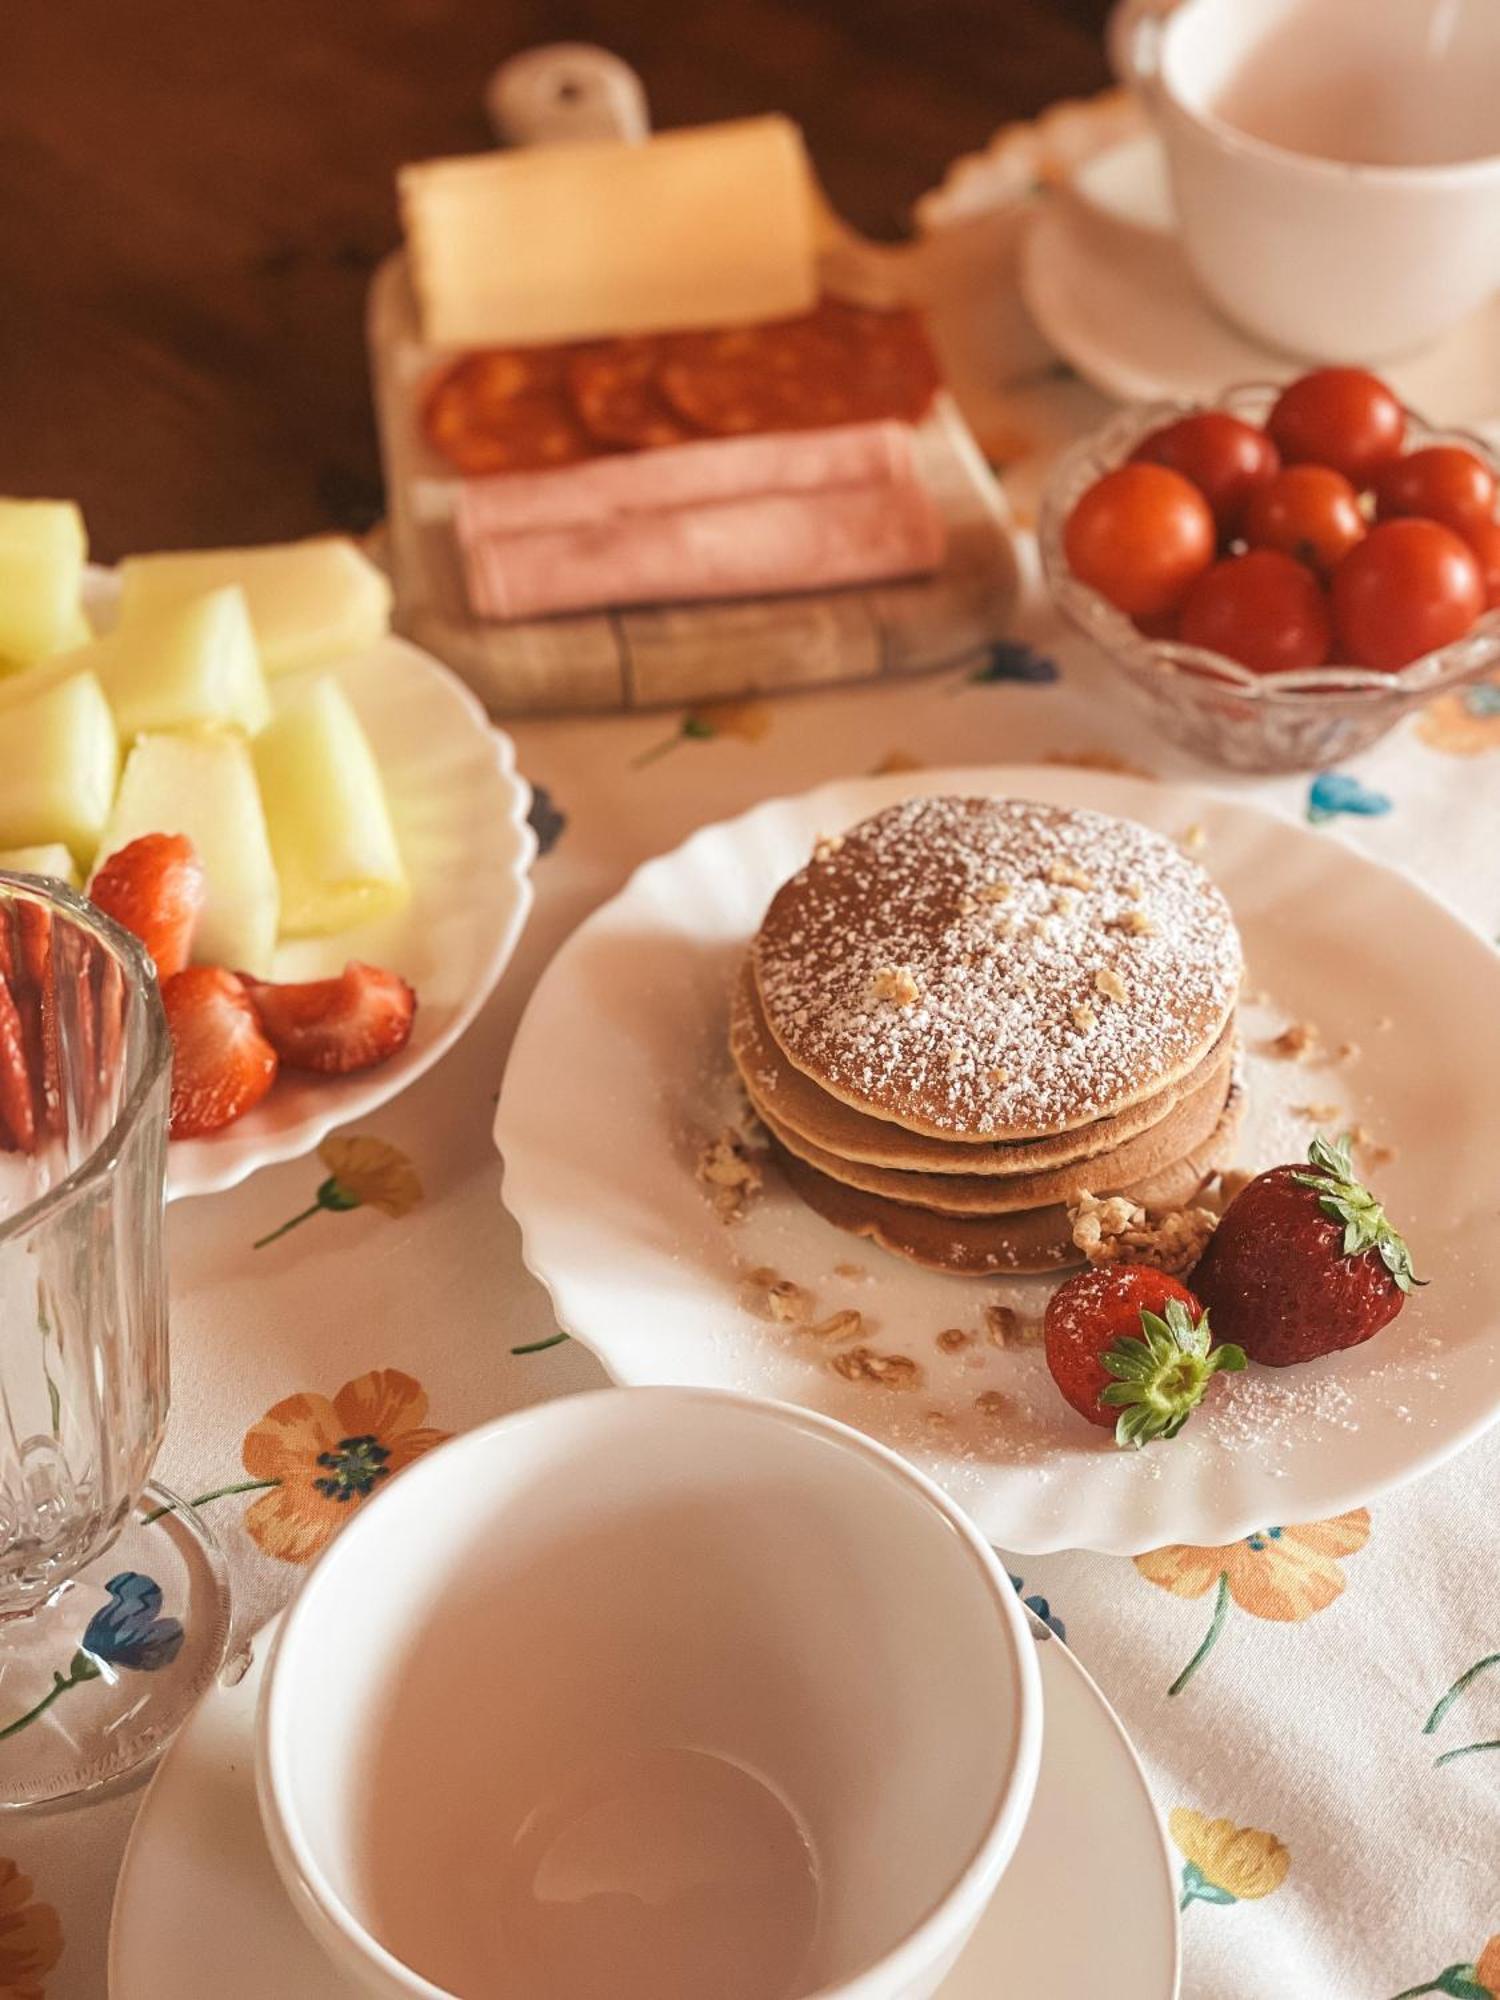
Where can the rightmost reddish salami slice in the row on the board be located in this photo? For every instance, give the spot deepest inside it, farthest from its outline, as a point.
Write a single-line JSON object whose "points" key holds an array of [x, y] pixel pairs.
{"points": [[837, 365]]}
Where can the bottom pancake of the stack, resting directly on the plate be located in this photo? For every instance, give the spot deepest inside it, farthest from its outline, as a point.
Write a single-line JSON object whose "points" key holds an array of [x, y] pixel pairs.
{"points": [[987, 1247]]}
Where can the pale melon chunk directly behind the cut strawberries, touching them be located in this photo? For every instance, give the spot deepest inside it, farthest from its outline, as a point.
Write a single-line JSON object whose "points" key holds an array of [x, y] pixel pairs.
{"points": [[205, 787]]}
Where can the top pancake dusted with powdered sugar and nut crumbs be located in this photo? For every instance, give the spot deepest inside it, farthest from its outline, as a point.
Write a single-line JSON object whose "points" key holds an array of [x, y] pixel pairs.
{"points": [[979, 969]]}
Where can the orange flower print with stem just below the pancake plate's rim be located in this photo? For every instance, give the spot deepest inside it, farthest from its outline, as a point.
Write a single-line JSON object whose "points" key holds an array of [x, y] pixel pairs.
{"points": [[1279, 1573]]}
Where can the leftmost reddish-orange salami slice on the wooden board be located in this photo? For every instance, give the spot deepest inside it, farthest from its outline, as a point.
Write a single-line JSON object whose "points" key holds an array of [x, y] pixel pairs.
{"points": [[505, 411]]}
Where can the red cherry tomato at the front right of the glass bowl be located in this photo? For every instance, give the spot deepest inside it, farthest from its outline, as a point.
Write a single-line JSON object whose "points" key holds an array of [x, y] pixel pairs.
{"points": [[1407, 589]]}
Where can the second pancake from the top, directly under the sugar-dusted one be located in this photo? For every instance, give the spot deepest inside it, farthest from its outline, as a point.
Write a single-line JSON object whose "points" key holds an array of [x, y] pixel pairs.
{"points": [[795, 1103]]}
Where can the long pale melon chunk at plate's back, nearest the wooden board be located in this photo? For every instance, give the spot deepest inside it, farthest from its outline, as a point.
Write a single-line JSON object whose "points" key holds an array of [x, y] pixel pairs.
{"points": [[309, 601]]}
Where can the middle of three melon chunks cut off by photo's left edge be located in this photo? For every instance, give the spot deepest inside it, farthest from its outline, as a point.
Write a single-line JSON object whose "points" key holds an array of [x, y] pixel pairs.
{"points": [[59, 761]]}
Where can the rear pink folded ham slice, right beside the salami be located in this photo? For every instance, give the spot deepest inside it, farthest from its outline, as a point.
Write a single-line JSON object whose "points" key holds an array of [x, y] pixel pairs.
{"points": [[687, 475]]}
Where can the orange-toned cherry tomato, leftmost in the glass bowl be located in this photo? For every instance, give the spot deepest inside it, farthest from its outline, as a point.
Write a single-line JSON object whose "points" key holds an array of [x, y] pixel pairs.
{"points": [[1139, 537]]}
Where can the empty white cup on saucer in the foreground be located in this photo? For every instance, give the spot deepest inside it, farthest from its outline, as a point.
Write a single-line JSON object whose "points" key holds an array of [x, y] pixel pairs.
{"points": [[651, 1693]]}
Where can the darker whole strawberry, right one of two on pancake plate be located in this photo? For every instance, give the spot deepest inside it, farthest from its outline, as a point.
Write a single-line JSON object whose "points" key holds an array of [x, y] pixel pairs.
{"points": [[1305, 1263]]}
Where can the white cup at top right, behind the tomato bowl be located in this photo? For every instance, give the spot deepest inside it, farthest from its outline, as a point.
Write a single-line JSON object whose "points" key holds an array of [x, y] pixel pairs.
{"points": [[1335, 163]]}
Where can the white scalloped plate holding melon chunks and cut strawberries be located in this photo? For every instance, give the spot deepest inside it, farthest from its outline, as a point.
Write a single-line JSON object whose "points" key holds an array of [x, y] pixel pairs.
{"points": [[461, 819]]}
